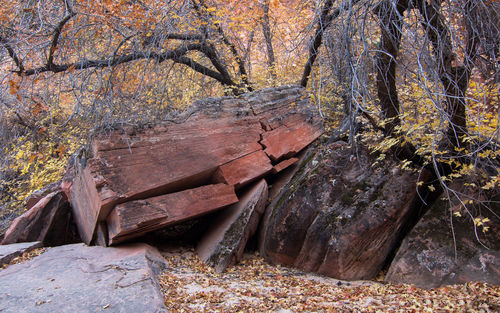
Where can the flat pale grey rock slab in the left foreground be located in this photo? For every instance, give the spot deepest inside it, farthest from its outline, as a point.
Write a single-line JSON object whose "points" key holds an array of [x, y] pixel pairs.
{"points": [[78, 278]]}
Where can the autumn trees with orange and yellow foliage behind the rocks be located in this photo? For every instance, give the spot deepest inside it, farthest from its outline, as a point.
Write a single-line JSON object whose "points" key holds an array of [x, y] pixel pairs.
{"points": [[414, 79]]}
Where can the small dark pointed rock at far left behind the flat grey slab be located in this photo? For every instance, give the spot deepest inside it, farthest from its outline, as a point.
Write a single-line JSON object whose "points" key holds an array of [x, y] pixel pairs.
{"points": [[49, 221]]}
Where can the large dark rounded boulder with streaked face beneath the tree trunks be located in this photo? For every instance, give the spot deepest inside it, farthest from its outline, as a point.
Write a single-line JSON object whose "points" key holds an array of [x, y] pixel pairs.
{"points": [[340, 215]]}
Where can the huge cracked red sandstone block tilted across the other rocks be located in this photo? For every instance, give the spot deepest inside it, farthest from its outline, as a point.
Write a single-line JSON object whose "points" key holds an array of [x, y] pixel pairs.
{"points": [[140, 180]]}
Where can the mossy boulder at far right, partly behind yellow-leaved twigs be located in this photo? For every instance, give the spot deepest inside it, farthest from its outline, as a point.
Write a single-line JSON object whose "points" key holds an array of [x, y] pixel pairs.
{"points": [[435, 254]]}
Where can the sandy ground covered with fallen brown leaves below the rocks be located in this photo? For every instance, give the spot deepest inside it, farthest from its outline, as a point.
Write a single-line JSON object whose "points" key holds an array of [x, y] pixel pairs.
{"points": [[256, 286]]}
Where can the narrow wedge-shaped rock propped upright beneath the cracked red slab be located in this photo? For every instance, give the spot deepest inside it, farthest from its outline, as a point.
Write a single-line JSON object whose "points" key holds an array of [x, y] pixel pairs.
{"points": [[224, 242]]}
